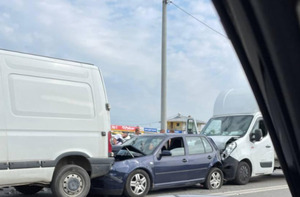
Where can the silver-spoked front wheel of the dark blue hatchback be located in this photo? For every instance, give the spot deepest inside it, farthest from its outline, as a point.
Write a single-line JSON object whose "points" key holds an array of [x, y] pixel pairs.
{"points": [[137, 184]]}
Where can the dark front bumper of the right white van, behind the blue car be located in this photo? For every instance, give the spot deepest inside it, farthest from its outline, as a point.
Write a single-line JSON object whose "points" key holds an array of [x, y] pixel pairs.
{"points": [[229, 168]]}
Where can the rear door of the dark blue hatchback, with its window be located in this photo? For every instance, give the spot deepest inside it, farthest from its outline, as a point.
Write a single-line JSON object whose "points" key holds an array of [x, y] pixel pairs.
{"points": [[200, 154]]}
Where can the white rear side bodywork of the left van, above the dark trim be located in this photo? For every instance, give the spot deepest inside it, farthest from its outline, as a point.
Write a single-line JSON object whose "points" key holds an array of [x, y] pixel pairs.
{"points": [[50, 101]]}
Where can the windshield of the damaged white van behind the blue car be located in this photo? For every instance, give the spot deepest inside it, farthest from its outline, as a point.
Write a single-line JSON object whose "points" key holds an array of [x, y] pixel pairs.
{"points": [[227, 126]]}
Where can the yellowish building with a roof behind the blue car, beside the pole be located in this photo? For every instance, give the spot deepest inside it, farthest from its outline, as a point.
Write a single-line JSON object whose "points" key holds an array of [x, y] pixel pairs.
{"points": [[178, 123]]}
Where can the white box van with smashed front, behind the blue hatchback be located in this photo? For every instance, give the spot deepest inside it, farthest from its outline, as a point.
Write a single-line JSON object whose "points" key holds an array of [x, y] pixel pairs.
{"points": [[238, 129]]}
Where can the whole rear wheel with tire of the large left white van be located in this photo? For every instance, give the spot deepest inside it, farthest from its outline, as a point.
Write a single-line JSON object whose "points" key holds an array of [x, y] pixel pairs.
{"points": [[71, 181]]}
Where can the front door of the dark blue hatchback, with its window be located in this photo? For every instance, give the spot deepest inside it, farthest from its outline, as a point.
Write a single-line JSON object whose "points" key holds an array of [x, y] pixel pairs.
{"points": [[171, 169]]}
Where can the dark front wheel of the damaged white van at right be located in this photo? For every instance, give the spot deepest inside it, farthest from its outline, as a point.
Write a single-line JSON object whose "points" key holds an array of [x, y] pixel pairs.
{"points": [[243, 174]]}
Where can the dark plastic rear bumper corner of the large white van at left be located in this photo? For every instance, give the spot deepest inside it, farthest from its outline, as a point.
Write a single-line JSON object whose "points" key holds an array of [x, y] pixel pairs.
{"points": [[100, 167]]}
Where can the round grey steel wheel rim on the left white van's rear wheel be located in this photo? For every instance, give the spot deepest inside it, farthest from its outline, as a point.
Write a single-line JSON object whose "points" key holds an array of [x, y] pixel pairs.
{"points": [[73, 184]]}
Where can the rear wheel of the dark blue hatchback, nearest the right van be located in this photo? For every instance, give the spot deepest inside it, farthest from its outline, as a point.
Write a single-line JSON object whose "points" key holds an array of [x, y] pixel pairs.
{"points": [[214, 179]]}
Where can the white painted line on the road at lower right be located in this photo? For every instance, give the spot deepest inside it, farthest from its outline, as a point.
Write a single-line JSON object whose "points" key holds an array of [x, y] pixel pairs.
{"points": [[248, 191]]}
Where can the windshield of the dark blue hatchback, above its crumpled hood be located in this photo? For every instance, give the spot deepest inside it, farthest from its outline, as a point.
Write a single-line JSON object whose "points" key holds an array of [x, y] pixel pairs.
{"points": [[145, 144]]}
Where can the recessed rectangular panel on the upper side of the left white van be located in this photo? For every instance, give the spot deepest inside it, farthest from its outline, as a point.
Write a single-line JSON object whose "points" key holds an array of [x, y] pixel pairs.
{"points": [[63, 99]]}
